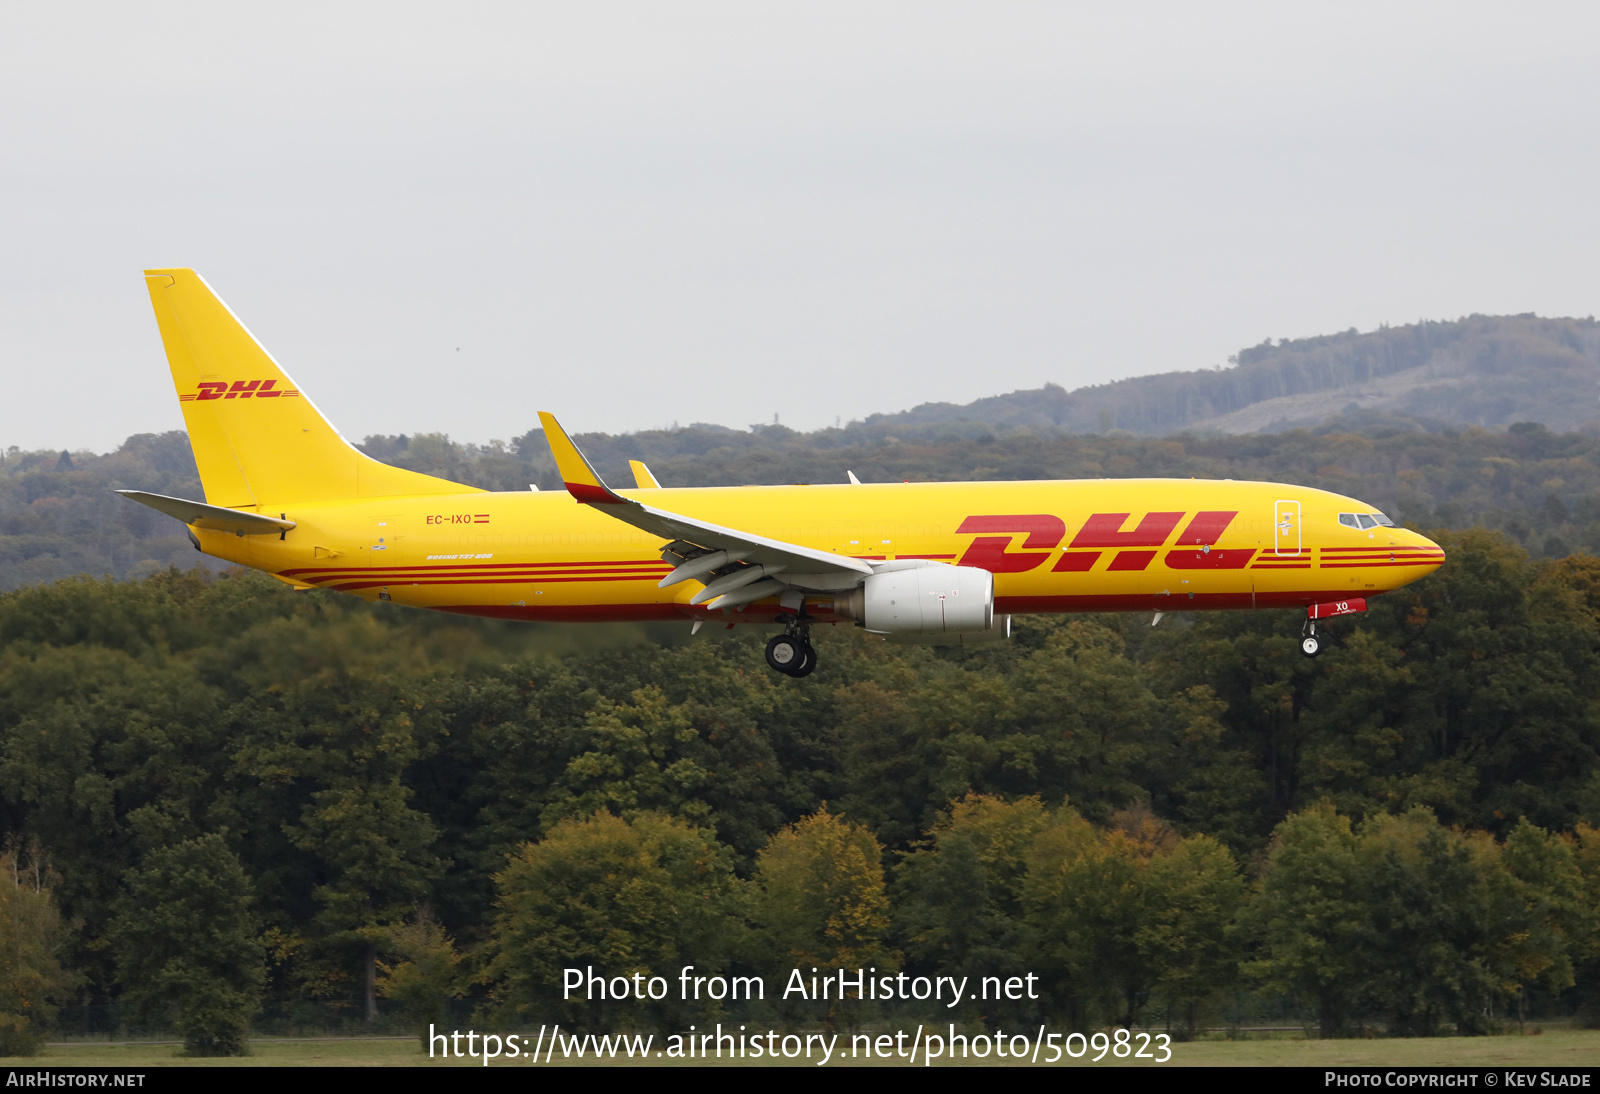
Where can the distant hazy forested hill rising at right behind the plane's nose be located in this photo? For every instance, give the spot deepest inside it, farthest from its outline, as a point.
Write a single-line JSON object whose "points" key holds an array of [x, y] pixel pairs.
{"points": [[1484, 370]]}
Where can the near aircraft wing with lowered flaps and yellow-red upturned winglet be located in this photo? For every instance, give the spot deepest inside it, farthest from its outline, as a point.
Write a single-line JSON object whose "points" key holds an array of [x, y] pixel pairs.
{"points": [[788, 564]]}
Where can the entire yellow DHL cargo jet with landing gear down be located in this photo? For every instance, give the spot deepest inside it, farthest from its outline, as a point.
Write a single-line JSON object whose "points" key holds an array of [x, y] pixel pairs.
{"points": [[913, 562]]}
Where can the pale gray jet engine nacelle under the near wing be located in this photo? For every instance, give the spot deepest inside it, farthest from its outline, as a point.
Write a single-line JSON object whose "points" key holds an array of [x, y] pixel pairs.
{"points": [[924, 599]]}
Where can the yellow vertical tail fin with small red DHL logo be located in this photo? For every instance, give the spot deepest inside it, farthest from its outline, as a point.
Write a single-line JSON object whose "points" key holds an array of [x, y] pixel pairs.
{"points": [[258, 439]]}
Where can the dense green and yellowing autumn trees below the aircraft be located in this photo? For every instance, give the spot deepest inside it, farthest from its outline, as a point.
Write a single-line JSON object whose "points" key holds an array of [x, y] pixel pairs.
{"points": [[220, 793]]}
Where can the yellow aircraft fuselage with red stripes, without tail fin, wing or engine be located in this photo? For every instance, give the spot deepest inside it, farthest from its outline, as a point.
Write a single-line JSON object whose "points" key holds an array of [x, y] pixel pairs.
{"points": [[1138, 545]]}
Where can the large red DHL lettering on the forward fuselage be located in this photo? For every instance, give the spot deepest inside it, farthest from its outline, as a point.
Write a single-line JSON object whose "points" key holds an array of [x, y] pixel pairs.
{"points": [[1135, 548]]}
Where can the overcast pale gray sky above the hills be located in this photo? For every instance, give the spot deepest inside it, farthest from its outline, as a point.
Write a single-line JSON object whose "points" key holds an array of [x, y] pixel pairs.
{"points": [[642, 214]]}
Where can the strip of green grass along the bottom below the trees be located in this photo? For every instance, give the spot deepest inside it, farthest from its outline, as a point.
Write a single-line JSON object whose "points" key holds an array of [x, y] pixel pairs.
{"points": [[1554, 1048]]}
